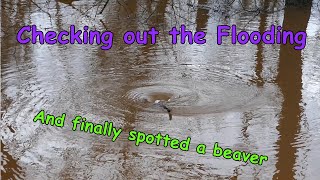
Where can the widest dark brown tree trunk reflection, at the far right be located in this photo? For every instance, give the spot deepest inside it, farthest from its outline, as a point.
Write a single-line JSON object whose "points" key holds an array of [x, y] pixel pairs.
{"points": [[290, 82]]}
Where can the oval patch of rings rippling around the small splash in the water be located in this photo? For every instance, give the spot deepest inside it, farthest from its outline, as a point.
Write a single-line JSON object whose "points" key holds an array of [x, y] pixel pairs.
{"points": [[192, 99]]}
